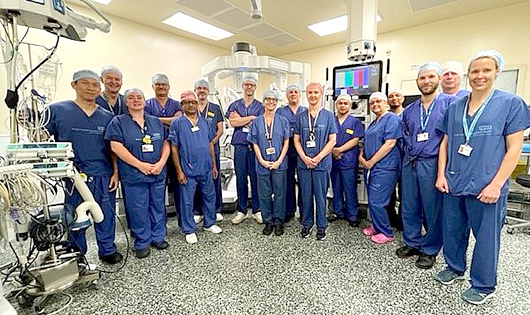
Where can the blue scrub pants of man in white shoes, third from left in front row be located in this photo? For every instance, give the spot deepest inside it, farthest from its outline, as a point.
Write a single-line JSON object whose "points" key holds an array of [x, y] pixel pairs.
{"points": [[204, 185]]}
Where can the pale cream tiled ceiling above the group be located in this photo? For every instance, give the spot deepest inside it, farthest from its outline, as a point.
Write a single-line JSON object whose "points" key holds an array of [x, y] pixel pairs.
{"points": [[283, 28]]}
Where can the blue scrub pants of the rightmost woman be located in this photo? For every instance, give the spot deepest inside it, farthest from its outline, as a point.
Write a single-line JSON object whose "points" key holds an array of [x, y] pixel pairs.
{"points": [[462, 213]]}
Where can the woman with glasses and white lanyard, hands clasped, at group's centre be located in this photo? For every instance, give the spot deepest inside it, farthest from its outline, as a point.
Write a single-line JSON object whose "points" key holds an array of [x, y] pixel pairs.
{"points": [[269, 134]]}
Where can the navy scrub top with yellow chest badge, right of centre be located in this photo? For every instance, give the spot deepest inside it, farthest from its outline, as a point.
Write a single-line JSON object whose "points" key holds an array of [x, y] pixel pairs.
{"points": [[351, 128]]}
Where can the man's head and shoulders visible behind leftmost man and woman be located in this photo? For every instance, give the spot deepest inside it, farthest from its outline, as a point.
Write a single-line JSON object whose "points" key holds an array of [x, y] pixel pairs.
{"points": [[111, 99]]}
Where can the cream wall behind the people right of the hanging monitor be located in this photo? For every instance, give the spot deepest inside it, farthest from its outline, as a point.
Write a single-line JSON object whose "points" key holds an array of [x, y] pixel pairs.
{"points": [[506, 29]]}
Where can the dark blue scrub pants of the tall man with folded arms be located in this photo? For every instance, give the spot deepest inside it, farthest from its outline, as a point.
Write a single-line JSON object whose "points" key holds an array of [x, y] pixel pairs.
{"points": [[245, 166]]}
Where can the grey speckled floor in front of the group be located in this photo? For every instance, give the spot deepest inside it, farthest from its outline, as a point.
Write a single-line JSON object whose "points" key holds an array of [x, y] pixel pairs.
{"points": [[242, 271]]}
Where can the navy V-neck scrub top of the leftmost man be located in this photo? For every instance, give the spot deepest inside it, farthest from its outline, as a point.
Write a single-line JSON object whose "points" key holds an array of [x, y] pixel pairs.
{"points": [[68, 122]]}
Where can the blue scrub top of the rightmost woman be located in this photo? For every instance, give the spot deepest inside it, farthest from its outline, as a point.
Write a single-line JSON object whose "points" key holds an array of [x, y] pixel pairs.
{"points": [[503, 115]]}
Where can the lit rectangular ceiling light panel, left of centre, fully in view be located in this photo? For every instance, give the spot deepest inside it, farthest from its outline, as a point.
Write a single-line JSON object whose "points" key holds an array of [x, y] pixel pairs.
{"points": [[195, 26]]}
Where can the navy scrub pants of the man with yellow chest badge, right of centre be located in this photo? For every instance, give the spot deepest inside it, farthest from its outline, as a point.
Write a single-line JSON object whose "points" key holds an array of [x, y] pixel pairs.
{"points": [[344, 183]]}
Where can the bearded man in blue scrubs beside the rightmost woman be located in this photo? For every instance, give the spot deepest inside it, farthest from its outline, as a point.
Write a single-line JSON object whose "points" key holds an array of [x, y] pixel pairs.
{"points": [[421, 201]]}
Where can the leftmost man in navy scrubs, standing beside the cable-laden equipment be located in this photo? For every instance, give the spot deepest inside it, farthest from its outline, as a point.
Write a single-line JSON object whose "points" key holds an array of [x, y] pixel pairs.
{"points": [[82, 122]]}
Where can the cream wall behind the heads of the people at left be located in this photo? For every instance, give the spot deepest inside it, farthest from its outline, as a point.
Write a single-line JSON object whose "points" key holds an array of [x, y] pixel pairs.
{"points": [[138, 50]]}
